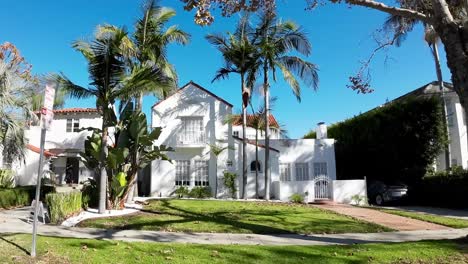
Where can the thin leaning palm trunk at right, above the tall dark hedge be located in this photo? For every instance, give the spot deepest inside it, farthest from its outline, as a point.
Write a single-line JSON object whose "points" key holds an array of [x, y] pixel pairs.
{"points": [[435, 53]]}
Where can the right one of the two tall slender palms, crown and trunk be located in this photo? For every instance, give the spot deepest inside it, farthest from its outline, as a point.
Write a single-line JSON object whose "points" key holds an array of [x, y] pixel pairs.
{"points": [[275, 40]]}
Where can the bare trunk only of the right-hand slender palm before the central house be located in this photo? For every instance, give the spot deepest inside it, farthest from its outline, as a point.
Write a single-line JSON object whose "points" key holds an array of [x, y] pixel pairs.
{"points": [[267, 131]]}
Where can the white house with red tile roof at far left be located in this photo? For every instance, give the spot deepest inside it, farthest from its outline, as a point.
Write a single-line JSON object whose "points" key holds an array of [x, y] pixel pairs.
{"points": [[64, 141]]}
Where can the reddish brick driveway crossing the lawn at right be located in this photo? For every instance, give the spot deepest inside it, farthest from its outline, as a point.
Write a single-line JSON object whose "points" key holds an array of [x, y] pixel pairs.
{"points": [[395, 222]]}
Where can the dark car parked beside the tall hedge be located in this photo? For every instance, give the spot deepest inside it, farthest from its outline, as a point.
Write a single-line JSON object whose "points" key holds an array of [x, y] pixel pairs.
{"points": [[380, 193]]}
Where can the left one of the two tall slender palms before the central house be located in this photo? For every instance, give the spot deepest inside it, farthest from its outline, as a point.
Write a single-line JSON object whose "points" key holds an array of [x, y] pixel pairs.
{"points": [[240, 57]]}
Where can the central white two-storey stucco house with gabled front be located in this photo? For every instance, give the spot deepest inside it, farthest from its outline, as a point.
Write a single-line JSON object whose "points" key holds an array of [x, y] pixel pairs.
{"points": [[193, 117]]}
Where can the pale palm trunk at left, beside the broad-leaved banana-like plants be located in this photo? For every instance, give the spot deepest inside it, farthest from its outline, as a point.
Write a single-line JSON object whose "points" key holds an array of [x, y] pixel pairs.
{"points": [[103, 171]]}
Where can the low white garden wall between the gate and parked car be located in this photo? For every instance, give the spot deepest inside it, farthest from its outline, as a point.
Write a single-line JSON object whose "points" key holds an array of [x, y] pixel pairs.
{"points": [[343, 190]]}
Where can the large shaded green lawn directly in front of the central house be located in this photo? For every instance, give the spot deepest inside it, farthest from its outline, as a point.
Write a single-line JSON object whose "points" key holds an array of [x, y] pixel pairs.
{"points": [[234, 217]]}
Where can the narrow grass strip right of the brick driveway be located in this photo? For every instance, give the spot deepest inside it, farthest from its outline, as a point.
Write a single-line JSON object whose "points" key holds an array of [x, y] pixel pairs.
{"points": [[436, 219]]}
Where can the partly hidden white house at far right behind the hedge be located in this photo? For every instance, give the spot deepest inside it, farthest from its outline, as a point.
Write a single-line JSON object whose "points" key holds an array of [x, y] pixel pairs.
{"points": [[455, 123]]}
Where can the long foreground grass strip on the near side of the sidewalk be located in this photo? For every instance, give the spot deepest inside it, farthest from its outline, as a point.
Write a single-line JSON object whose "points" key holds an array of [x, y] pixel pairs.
{"points": [[15, 249]]}
